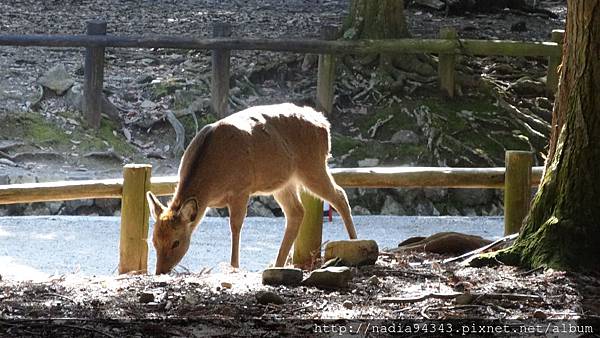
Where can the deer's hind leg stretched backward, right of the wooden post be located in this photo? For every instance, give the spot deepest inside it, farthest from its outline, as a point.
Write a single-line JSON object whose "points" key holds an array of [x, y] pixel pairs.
{"points": [[321, 183]]}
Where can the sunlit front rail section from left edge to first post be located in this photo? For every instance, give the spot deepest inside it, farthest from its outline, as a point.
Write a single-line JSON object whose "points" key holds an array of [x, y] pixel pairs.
{"points": [[60, 191]]}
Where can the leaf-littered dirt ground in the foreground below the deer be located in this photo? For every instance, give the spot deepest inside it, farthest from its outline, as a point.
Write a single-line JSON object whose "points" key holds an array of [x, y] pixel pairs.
{"points": [[407, 288]]}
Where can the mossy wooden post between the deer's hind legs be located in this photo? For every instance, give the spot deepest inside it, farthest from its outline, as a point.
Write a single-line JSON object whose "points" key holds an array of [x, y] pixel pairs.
{"points": [[308, 241]]}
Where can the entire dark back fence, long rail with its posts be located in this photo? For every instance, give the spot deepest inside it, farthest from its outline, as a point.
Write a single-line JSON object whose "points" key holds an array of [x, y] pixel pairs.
{"points": [[447, 47]]}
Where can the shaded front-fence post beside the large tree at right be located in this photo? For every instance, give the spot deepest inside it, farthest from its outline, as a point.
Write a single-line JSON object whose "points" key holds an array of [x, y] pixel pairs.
{"points": [[517, 189]]}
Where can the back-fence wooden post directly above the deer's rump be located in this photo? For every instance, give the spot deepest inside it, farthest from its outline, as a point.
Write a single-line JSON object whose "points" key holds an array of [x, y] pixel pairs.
{"points": [[326, 74]]}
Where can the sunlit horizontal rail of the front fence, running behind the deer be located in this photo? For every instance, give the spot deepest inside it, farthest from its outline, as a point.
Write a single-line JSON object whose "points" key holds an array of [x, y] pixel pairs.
{"points": [[376, 177]]}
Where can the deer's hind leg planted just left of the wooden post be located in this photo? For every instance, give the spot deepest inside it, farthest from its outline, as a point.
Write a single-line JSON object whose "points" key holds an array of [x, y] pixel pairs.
{"points": [[289, 201]]}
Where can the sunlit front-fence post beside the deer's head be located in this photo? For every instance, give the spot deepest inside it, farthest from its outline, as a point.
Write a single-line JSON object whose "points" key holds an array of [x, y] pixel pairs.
{"points": [[133, 246]]}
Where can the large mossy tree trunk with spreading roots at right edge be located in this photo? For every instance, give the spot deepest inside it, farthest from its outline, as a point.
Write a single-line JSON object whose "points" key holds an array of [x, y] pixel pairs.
{"points": [[563, 228]]}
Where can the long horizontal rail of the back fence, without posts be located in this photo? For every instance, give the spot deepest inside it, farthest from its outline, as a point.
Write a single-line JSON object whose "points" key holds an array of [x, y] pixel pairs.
{"points": [[406, 46]]}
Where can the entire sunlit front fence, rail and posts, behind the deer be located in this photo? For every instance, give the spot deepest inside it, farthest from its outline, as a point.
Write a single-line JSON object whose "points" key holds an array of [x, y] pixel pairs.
{"points": [[517, 179]]}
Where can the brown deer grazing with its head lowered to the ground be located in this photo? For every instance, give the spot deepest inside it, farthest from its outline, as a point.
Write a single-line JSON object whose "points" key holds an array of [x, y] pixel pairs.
{"points": [[278, 149]]}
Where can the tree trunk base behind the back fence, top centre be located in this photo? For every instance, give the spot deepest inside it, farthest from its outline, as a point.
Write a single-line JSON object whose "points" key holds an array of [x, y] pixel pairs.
{"points": [[376, 19]]}
